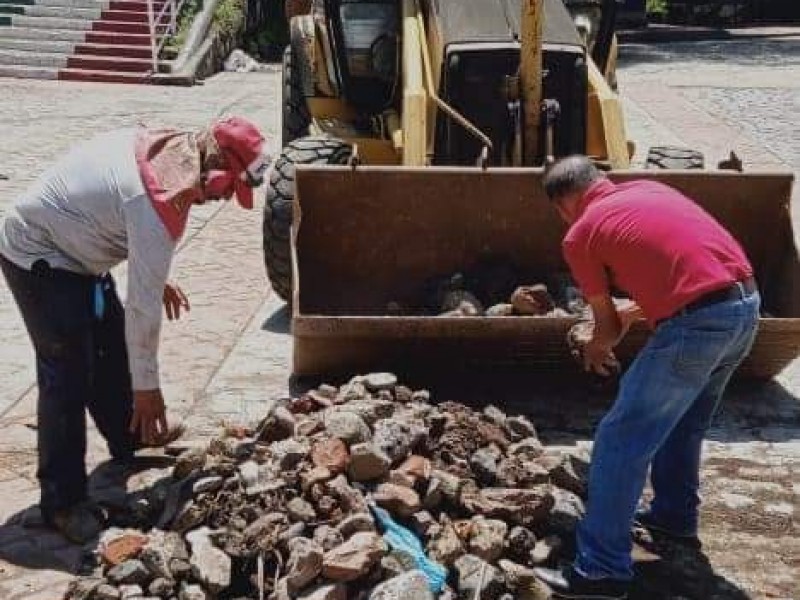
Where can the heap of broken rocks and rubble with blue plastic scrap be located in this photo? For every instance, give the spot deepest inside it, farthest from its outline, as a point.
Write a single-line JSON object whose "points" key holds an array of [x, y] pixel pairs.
{"points": [[287, 510]]}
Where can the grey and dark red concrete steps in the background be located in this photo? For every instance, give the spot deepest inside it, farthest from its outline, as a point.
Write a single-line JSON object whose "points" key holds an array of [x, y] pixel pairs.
{"points": [[83, 40]]}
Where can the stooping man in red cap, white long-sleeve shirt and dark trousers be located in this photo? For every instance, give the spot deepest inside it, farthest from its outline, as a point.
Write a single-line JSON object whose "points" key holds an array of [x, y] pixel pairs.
{"points": [[121, 195]]}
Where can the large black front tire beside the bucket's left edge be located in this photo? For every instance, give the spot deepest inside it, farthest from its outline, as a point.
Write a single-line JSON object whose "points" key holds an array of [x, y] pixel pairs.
{"points": [[311, 150]]}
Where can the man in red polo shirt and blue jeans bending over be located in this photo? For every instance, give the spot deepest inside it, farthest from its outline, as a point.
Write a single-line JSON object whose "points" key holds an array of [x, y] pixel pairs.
{"points": [[693, 284]]}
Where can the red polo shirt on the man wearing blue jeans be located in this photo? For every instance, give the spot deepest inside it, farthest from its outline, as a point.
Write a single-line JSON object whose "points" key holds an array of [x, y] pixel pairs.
{"points": [[654, 243]]}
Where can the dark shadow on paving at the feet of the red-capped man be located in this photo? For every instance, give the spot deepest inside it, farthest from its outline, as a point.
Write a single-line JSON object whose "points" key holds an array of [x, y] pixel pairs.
{"points": [[26, 542]]}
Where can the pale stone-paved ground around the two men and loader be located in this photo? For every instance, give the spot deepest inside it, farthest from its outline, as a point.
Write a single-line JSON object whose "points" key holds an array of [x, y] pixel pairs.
{"points": [[231, 355]]}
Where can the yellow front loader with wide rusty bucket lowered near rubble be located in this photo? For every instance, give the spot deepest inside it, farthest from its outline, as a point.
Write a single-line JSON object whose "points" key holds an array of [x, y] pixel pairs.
{"points": [[414, 136]]}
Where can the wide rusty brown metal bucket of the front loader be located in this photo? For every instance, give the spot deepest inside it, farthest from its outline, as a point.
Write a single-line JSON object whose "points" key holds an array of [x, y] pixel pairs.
{"points": [[367, 237]]}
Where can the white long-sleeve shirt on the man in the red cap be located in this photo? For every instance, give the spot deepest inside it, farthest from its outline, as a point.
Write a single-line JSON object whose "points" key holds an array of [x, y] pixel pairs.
{"points": [[88, 213]]}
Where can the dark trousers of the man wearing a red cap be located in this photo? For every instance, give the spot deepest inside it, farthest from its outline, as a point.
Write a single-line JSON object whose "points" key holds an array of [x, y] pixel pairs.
{"points": [[81, 363]]}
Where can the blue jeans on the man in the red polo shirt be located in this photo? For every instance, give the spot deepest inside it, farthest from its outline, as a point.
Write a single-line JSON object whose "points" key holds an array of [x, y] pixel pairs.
{"points": [[664, 407]]}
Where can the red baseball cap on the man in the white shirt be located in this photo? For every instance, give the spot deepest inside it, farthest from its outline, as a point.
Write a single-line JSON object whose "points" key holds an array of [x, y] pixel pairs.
{"points": [[243, 147]]}
